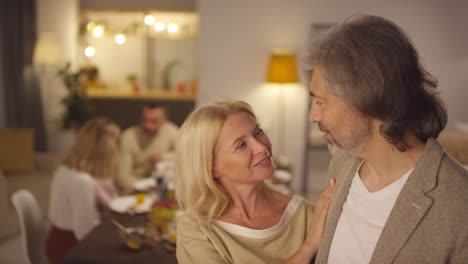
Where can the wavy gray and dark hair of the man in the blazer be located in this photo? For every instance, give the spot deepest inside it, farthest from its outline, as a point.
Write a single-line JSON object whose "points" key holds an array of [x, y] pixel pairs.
{"points": [[372, 65]]}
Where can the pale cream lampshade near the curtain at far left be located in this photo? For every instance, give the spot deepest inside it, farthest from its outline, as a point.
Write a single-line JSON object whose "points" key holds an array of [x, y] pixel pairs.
{"points": [[47, 50]]}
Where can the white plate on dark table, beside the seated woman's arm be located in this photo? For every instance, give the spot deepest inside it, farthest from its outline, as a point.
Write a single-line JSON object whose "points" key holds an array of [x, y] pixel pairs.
{"points": [[128, 204]]}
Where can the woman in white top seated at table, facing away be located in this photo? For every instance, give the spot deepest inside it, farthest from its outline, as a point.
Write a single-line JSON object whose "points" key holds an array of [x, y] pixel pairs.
{"points": [[82, 185]]}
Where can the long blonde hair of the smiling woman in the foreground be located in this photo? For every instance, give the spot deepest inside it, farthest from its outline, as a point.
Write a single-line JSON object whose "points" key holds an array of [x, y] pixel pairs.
{"points": [[197, 191]]}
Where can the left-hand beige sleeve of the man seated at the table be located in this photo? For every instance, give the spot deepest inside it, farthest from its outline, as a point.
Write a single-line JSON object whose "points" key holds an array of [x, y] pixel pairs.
{"points": [[125, 177]]}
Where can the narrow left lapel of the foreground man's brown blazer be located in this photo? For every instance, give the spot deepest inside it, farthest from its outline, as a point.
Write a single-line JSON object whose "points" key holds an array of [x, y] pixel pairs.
{"points": [[339, 198]]}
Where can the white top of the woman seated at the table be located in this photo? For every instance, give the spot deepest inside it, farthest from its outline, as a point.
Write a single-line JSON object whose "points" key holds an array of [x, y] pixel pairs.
{"points": [[73, 201]]}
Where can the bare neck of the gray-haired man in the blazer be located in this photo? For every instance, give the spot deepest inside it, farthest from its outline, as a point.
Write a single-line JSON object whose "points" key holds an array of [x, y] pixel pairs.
{"points": [[384, 163]]}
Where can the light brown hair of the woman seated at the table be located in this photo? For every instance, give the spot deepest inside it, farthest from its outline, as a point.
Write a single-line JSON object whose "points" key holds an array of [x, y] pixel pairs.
{"points": [[95, 149]]}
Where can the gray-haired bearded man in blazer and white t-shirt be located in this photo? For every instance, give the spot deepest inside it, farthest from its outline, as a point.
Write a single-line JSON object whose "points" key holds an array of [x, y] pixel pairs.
{"points": [[399, 197]]}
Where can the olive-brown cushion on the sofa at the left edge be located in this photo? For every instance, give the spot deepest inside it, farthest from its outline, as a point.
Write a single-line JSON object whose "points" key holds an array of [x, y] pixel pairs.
{"points": [[17, 149]]}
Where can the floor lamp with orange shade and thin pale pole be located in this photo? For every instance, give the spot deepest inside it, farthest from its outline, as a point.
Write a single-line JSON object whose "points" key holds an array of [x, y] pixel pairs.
{"points": [[282, 70]]}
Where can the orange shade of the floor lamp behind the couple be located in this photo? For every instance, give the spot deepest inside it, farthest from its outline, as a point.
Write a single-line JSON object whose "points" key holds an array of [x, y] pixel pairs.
{"points": [[282, 68]]}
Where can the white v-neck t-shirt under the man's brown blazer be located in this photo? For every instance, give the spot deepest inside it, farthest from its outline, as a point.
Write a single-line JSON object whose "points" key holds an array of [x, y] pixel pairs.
{"points": [[361, 222]]}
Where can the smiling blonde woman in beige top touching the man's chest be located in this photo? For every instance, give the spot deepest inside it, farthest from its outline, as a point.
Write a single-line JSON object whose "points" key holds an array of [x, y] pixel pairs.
{"points": [[231, 215]]}
